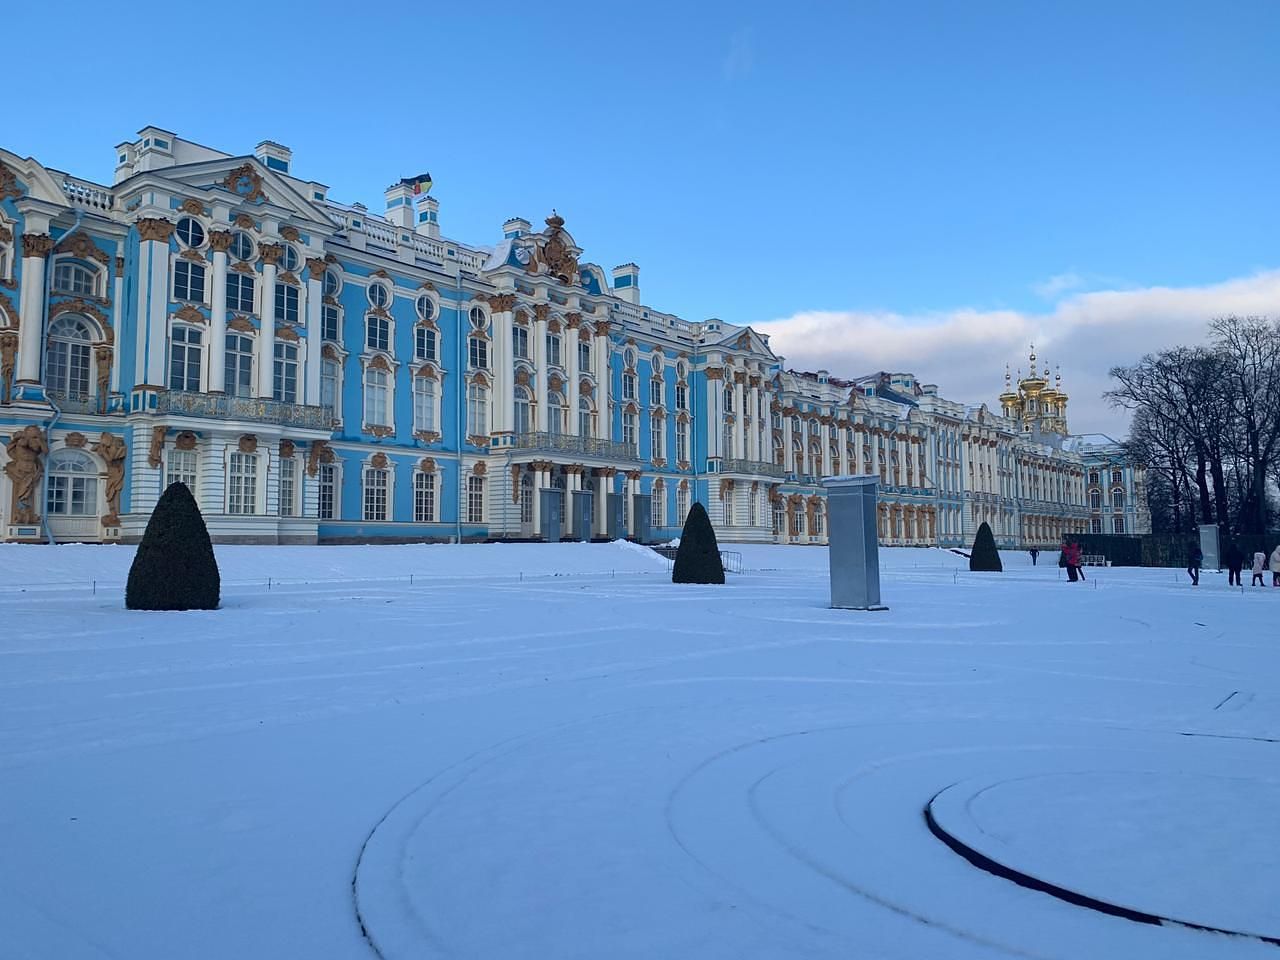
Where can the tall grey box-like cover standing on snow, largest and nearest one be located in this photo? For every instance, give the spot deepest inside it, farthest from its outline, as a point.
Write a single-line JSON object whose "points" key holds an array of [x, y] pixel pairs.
{"points": [[854, 546]]}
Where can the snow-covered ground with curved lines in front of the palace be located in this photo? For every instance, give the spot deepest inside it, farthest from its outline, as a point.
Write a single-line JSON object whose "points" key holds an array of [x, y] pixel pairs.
{"points": [[552, 752]]}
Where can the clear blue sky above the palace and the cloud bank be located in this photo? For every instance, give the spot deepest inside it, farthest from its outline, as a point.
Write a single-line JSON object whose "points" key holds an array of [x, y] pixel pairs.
{"points": [[921, 162]]}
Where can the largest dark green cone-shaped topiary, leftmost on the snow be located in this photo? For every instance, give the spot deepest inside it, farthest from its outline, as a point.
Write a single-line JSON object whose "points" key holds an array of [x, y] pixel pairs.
{"points": [[175, 568]]}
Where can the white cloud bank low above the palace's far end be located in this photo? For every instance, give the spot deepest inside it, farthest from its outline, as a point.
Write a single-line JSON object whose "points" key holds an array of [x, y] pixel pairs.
{"points": [[966, 351]]}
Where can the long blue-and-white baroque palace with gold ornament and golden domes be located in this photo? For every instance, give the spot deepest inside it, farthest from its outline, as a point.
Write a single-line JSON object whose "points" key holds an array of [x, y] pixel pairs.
{"points": [[316, 372]]}
